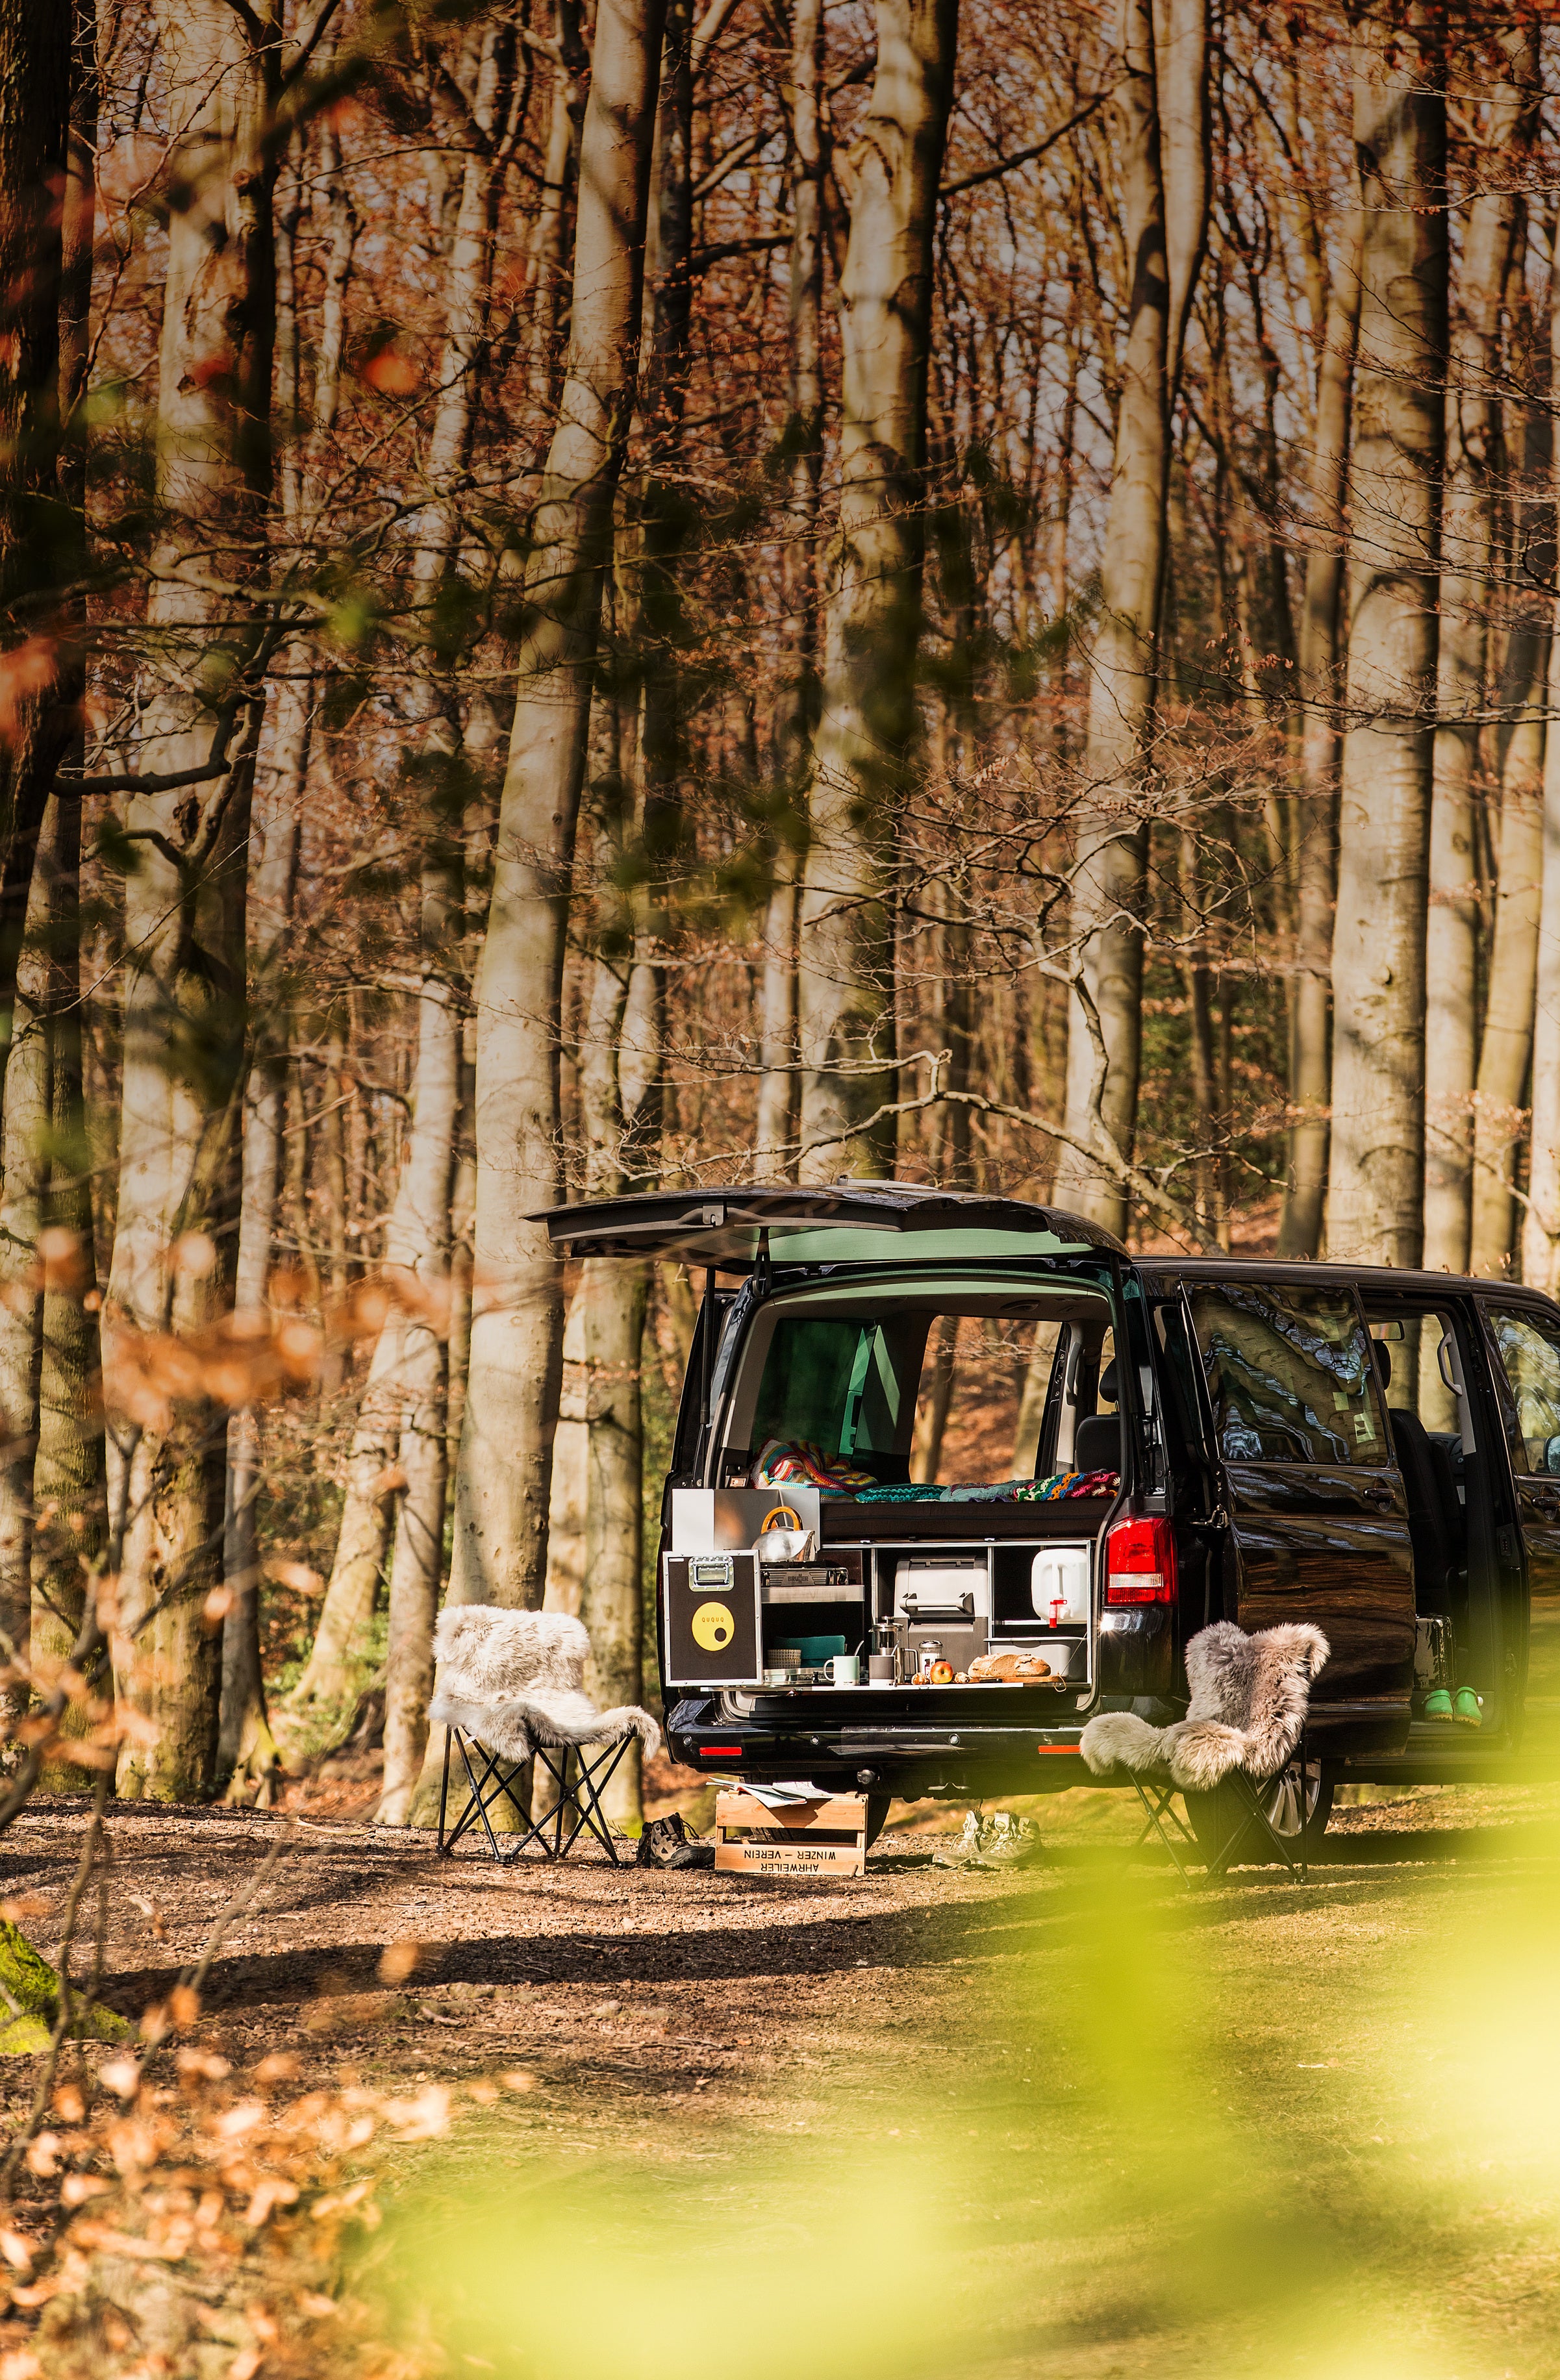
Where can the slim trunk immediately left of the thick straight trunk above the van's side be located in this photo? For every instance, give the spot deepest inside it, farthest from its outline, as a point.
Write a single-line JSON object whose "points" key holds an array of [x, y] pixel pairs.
{"points": [[1318, 868]]}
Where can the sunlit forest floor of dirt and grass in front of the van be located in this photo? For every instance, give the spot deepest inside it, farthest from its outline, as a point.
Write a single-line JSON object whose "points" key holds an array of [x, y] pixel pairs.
{"points": [[1097, 2122]]}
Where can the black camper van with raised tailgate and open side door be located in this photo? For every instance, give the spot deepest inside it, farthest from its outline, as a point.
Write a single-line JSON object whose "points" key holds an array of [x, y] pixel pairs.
{"points": [[956, 1472]]}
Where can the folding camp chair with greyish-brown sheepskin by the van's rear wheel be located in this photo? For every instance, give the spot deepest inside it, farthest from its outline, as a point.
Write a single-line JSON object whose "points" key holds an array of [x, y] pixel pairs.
{"points": [[1242, 1729]]}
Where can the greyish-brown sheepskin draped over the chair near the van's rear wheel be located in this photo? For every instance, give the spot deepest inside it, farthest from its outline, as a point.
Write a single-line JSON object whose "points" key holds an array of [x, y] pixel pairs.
{"points": [[1249, 1701]]}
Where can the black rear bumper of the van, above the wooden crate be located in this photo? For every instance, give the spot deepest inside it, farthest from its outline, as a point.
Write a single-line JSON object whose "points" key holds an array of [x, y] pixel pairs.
{"points": [[906, 1760]]}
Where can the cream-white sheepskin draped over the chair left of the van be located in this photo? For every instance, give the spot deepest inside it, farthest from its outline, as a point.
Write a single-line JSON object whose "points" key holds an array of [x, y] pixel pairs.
{"points": [[513, 1681]]}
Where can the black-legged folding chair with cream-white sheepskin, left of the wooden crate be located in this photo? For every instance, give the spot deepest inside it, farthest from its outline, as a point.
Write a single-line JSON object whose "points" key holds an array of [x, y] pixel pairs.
{"points": [[511, 1696]]}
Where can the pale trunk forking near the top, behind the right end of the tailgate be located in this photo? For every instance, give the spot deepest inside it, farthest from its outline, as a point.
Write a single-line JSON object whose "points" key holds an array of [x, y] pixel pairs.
{"points": [[1163, 165]]}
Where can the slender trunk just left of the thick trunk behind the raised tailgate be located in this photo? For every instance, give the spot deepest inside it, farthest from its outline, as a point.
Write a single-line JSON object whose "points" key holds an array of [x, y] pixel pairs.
{"points": [[797, 722]]}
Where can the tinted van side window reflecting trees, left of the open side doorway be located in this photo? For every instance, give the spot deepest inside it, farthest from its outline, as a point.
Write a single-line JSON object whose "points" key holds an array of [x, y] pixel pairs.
{"points": [[1290, 1374]]}
